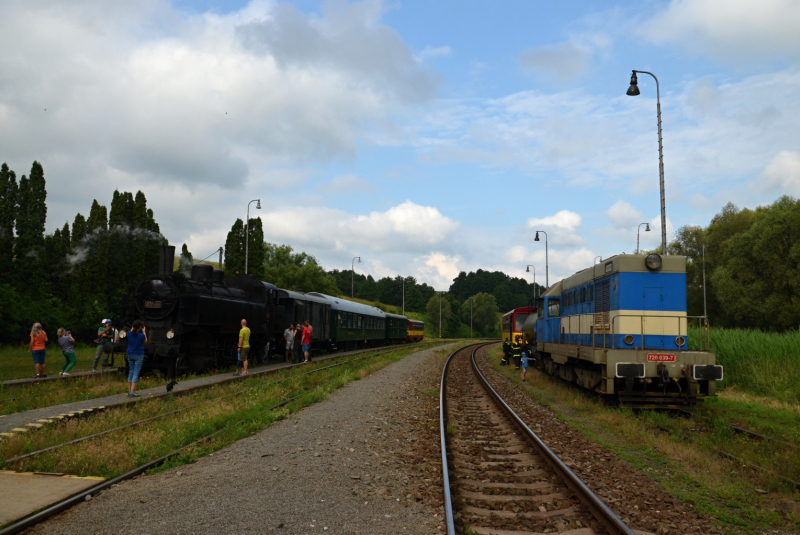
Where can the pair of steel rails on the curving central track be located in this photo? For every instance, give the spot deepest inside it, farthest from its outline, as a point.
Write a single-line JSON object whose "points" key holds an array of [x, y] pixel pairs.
{"points": [[596, 506]]}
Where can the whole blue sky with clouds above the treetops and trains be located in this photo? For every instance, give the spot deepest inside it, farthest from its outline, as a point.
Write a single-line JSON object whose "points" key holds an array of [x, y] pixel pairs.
{"points": [[428, 138]]}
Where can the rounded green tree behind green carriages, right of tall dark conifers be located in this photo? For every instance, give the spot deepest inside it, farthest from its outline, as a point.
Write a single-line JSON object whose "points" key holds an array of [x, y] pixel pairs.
{"points": [[295, 271]]}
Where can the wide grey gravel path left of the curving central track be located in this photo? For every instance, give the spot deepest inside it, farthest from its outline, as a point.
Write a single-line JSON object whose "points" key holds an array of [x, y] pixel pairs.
{"points": [[350, 464]]}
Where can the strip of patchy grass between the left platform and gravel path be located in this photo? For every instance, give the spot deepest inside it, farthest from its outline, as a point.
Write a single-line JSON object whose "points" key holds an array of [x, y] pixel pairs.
{"points": [[235, 409]]}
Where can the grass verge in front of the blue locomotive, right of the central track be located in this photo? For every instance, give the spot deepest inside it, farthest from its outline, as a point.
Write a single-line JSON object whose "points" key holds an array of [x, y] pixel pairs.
{"points": [[681, 453]]}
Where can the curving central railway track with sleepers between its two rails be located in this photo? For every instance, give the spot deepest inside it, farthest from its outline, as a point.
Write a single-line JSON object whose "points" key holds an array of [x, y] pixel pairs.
{"points": [[499, 477]]}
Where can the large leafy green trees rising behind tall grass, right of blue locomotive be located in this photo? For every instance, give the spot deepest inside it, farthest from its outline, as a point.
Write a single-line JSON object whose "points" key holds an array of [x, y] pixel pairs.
{"points": [[752, 264]]}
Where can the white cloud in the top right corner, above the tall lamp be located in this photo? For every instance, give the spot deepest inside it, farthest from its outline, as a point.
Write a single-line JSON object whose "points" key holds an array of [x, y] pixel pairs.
{"points": [[732, 30]]}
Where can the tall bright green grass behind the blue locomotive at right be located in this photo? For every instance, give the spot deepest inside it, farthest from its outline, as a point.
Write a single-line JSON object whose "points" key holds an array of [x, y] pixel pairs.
{"points": [[765, 364]]}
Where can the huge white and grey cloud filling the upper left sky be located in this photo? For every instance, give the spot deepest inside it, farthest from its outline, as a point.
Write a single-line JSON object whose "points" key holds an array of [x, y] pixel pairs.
{"points": [[154, 93]]}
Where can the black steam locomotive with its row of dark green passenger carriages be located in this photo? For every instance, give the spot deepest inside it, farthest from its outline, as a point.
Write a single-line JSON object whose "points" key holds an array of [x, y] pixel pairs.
{"points": [[193, 322]]}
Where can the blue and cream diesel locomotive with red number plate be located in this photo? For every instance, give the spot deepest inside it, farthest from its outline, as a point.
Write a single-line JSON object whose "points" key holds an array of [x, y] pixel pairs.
{"points": [[620, 328]]}
